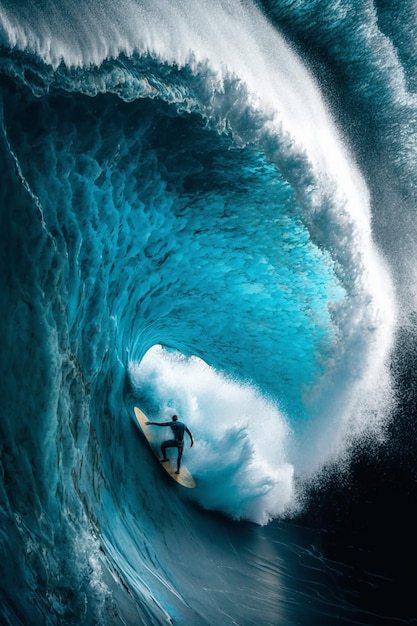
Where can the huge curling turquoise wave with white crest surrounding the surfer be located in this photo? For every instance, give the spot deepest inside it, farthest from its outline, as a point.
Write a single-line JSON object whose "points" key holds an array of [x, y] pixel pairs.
{"points": [[187, 229]]}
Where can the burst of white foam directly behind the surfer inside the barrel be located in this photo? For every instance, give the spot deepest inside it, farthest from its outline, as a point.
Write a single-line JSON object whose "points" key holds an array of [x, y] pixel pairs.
{"points": [[240, 454]]}
